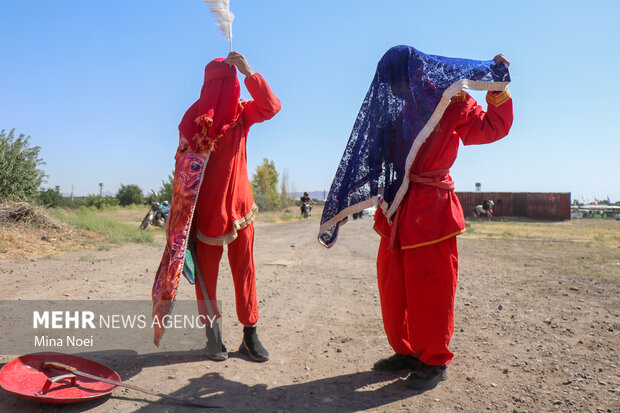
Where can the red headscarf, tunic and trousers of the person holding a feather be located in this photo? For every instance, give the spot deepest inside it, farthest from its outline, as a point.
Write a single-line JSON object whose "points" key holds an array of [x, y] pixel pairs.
{"points": [[218, 123]]}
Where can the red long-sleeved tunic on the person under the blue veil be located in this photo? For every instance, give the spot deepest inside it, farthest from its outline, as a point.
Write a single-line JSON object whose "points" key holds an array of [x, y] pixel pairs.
{"points": [[430, 214]]}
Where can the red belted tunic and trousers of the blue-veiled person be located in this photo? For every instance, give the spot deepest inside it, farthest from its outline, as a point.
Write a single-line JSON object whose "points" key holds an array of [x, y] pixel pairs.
{"points": [[417, 262]]}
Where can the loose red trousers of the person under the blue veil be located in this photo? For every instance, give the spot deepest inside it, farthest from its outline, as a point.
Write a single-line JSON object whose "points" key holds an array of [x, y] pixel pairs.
{"points": [[417, 288]]}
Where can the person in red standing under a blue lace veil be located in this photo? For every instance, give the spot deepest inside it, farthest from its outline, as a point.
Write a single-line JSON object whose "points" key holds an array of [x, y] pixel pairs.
{"points": [[405, 139]]}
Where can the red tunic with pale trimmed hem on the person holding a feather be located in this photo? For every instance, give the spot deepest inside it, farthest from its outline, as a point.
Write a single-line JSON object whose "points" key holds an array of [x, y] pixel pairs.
{"points": [[225, 203]]}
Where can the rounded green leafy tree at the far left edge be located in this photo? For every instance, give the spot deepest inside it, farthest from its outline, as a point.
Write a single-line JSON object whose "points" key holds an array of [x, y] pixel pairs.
{"points": [[20, 176]]}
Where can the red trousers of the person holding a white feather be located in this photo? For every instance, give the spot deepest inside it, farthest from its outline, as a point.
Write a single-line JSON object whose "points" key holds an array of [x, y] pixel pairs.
{"points": [[241, 259]]}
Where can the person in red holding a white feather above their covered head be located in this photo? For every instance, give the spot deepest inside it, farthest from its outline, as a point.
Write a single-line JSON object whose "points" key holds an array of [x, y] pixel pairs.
{"points": [[212, 153]]}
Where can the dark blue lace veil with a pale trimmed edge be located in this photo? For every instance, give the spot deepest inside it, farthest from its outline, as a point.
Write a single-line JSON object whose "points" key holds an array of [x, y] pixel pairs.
{"points": [[407, 97]]}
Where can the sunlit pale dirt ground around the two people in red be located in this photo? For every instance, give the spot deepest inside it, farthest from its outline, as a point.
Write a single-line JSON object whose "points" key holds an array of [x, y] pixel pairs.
{"points": [[537, 327]]}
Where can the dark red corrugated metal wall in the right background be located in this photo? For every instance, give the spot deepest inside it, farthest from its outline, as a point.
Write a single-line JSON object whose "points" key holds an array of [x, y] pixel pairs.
{"points": [[537, 205]]}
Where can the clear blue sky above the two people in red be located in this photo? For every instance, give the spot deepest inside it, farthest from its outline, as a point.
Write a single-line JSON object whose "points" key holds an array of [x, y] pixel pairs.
{"points": [[102, 86]]}
